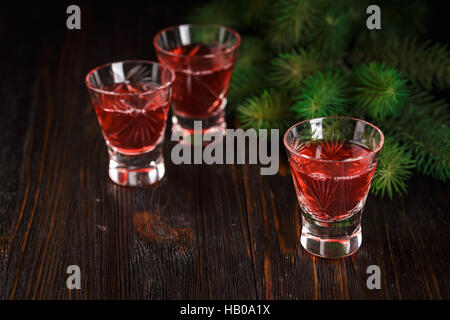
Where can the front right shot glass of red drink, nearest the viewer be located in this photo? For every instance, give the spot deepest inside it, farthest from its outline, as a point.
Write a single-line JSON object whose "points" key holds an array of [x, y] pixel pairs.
{"points": [[332, 162]]}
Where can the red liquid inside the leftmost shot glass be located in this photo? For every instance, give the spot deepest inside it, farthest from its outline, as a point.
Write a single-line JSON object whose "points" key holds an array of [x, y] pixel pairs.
{"points": [[132, 124]]}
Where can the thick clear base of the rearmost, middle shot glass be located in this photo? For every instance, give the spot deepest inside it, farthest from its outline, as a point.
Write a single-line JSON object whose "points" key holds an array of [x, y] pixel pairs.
{"points": [[188, 128]]}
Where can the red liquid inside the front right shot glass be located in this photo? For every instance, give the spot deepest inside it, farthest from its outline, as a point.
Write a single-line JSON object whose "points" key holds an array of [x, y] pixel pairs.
{"points": [[331, 190]]}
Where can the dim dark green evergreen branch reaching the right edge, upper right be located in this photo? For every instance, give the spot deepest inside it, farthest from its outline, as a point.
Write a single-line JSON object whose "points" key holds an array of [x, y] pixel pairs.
{"points": [[424, 62]]}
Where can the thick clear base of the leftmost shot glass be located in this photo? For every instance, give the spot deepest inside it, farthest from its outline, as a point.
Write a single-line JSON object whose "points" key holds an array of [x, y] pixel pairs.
{"points": [[136, 170]]}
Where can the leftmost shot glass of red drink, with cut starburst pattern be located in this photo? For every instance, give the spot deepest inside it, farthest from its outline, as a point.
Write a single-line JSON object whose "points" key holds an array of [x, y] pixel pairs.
{"points": [[131, 100]]}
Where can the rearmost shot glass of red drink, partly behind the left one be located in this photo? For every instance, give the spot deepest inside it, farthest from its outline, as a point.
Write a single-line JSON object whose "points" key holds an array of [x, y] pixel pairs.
{"points": [[202, 57]]}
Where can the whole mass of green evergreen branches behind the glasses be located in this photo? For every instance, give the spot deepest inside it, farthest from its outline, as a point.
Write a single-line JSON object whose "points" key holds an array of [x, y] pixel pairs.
{"points": [[313, 36]]}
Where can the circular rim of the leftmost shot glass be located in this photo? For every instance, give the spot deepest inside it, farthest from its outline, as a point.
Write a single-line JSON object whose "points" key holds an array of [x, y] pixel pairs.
{"points": [[148, 62]]}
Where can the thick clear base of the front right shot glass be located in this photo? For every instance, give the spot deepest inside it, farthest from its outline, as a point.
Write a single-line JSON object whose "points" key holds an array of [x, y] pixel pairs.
{"points": [[335, 239]]}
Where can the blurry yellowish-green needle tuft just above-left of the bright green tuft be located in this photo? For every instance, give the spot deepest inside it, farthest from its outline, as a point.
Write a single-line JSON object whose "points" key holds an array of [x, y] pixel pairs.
{"points": [[290, 69]]}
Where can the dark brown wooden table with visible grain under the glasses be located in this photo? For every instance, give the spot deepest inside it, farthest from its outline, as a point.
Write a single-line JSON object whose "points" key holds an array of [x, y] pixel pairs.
{"points": [[205, 232]]}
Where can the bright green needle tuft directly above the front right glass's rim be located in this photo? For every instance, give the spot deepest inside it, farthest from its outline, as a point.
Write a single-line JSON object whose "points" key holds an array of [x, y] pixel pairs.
{"points": [[321, 95]]}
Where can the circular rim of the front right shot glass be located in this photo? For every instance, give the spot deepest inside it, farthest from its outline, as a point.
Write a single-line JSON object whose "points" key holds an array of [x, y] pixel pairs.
{"points": [[377, 149]]}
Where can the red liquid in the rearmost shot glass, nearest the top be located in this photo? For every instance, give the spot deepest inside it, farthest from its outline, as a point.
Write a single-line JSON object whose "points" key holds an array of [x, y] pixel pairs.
{"points": [[201, 83]]}
